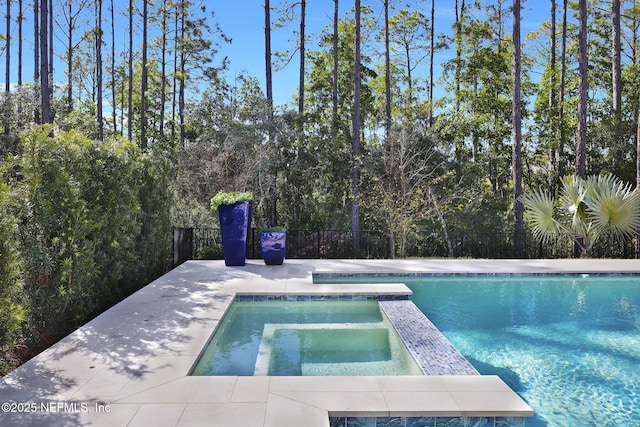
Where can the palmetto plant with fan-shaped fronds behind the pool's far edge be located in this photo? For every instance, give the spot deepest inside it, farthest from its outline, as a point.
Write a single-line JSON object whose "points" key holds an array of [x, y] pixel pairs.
{"points": [[586, 209]]}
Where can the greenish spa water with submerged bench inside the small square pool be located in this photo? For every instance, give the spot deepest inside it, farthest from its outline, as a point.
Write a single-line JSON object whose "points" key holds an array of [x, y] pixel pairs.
{"points": [[305, 338]]}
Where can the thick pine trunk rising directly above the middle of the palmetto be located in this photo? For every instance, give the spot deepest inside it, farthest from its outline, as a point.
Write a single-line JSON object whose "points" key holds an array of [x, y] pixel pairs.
{"points": [[581, 149]]}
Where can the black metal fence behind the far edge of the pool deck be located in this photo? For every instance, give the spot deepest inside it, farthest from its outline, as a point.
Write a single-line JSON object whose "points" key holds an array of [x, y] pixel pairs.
{"points": [[206, 243]]}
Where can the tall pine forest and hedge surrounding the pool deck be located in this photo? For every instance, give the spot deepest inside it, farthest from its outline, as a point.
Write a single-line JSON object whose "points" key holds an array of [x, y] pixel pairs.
{"points": [[122, 119]]}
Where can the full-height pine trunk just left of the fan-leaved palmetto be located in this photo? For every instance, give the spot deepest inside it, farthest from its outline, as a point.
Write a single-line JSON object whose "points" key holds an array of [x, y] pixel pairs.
{"points": [[517, 134]]}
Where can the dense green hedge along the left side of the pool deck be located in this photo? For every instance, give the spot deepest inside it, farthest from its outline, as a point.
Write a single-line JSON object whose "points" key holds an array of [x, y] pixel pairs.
{"points": [[91, 224]]}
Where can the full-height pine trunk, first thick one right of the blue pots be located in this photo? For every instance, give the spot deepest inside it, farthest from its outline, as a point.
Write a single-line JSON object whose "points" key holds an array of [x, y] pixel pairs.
{"points": [[355, 181]]}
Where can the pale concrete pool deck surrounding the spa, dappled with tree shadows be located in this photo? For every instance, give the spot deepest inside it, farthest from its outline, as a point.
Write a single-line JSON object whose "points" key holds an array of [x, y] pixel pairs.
{"points": [[129, 365]]}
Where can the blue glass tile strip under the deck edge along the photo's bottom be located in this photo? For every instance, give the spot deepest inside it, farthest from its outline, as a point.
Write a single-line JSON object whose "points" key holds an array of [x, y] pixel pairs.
{"points": [[427, 421]]}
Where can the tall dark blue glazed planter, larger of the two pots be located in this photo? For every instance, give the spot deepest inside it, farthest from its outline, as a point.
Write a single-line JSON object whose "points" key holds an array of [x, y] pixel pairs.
{"points": [[234, 227]]}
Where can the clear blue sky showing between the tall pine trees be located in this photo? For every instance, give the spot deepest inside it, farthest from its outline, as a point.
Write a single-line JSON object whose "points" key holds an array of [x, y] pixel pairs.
{"points": [[243, 22]]}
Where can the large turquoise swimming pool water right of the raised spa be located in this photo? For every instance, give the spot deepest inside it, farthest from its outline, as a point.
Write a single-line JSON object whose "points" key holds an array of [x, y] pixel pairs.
{"points": [[568, 344]]}
